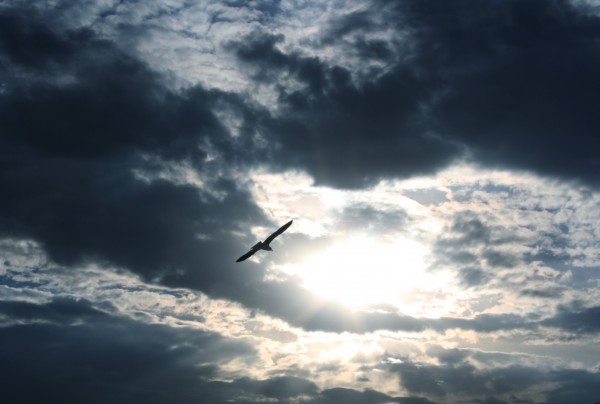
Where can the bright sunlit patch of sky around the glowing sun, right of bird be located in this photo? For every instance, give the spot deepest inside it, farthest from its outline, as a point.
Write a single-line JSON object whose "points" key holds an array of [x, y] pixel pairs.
{"points": [[518, 235]]}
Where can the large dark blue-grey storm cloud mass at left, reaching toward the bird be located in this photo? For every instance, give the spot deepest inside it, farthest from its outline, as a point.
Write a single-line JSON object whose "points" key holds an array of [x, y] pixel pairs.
{"points": [[69, 148]]}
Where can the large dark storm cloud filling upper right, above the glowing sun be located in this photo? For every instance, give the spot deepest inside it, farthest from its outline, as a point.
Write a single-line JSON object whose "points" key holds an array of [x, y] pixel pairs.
{"points": [[516, 87]]}
